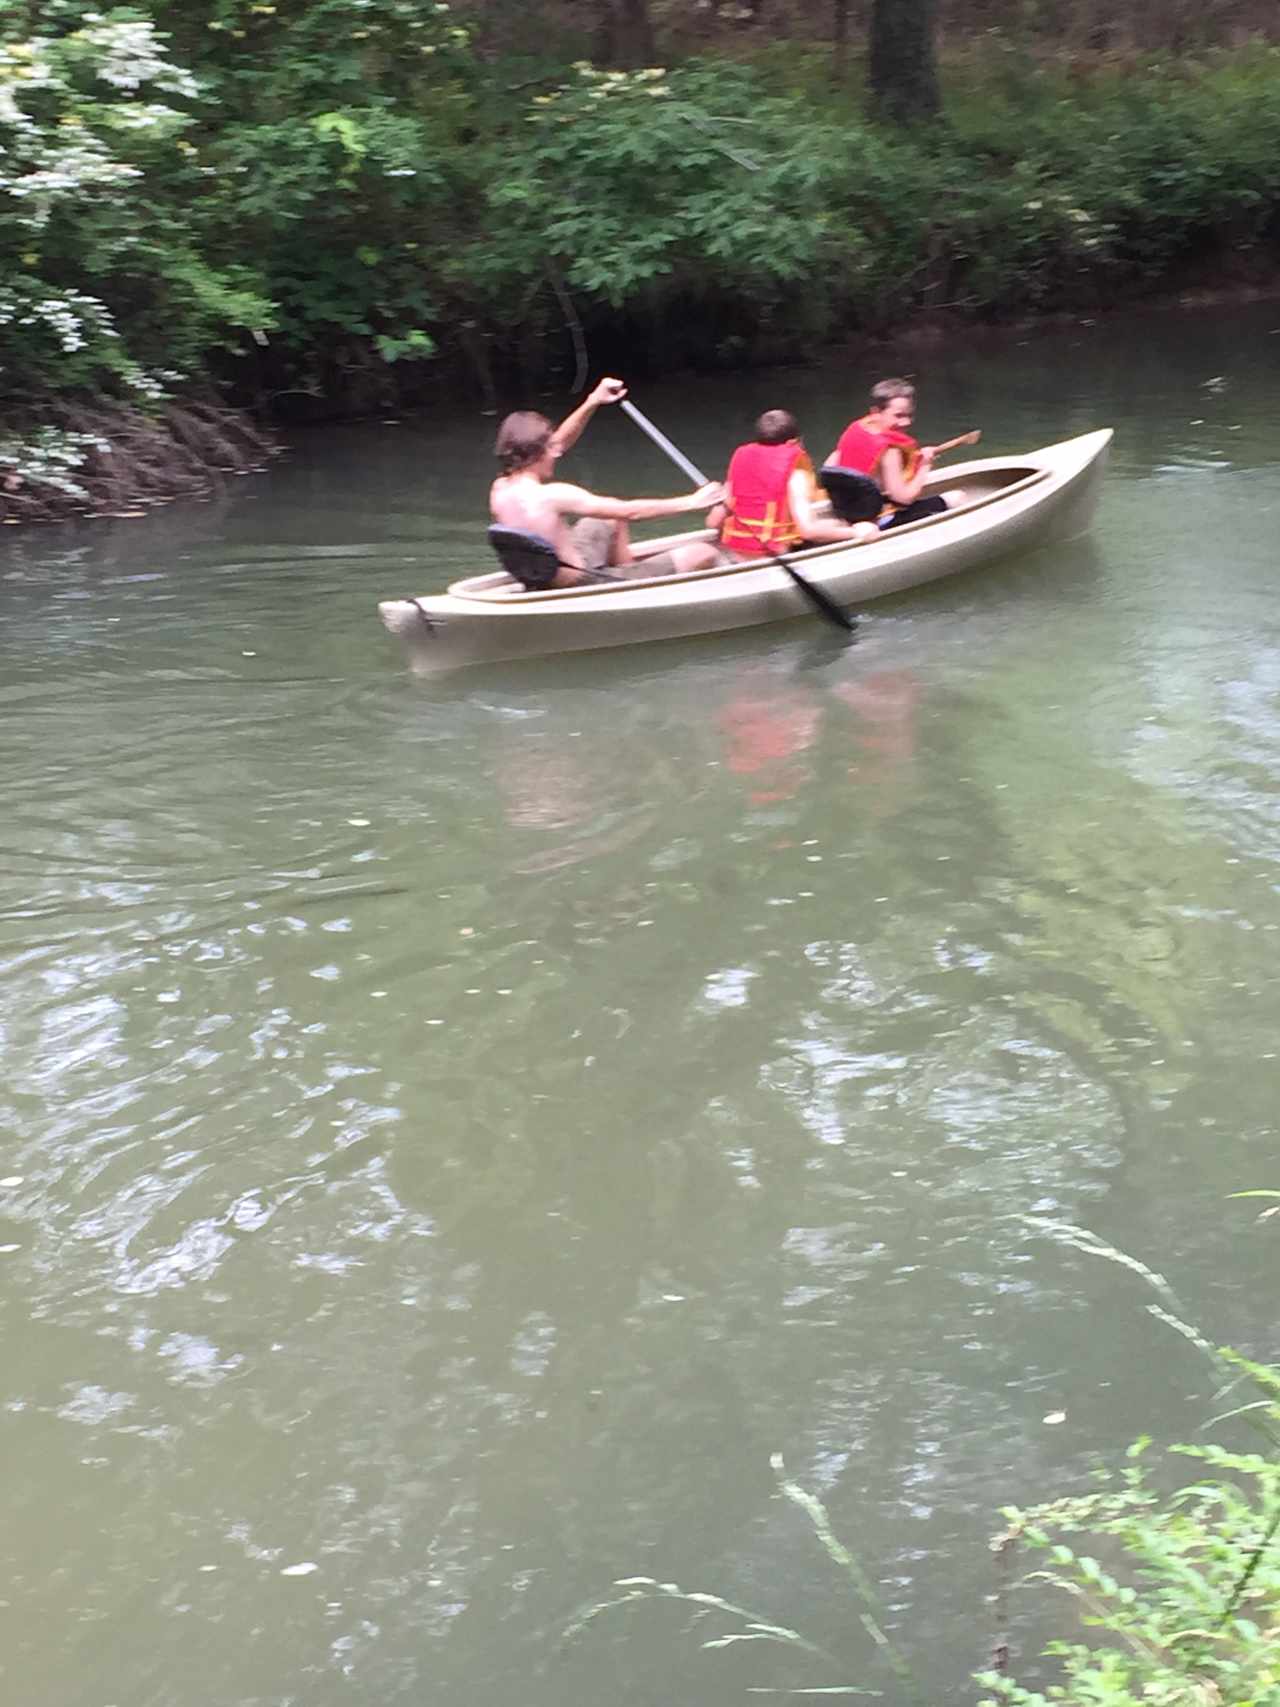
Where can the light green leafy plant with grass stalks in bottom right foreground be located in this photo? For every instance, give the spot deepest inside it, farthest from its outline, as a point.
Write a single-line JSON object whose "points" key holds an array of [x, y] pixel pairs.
{"points": [[1177, 1588]]}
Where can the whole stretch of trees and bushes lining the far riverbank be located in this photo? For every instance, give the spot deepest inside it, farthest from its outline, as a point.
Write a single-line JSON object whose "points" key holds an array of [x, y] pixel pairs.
{"points": [[322, 209]]}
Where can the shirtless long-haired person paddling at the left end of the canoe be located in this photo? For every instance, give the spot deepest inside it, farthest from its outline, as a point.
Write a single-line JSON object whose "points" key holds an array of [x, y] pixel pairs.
{"points": [[586, 532]]}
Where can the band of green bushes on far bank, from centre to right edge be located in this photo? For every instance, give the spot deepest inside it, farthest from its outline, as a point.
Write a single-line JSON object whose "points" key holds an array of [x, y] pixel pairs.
{"points": [[783, 209]]}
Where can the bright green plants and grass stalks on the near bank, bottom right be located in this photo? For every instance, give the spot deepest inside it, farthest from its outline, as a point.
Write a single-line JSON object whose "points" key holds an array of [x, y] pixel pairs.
{"points": [[1163, 1573]]}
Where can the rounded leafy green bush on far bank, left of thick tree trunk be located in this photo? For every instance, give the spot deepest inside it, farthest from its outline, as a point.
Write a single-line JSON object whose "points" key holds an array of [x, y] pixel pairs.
{"points": [[665, 190]]}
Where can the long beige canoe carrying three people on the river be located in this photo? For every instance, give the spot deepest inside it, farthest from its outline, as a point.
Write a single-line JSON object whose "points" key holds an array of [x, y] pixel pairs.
{"points": [[1011, 504]]}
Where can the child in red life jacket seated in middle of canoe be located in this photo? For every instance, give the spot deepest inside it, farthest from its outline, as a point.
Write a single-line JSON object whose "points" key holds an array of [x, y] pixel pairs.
{"points": [[771, 496]]}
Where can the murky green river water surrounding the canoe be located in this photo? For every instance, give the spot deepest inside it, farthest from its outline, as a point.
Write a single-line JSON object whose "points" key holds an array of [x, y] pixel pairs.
{"points": [[457, 1131]]}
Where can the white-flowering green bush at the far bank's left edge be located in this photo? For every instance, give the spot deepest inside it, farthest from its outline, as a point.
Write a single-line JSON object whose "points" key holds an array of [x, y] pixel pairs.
{"points": [[102, 289]]}
